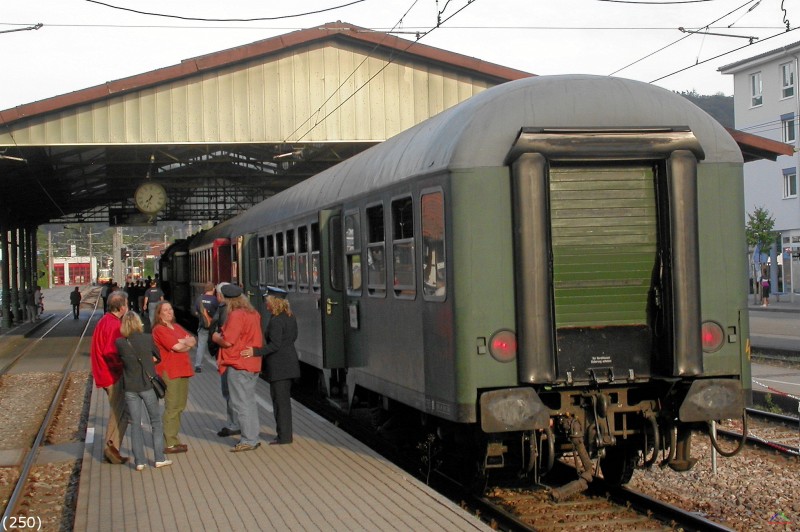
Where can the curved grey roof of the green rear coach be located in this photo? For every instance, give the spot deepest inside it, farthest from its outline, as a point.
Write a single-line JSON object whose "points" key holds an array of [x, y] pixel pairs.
{"points": [[480, 131]]}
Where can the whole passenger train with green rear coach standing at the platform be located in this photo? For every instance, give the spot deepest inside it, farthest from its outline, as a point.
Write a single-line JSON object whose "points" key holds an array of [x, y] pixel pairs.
{"points": [[553, 267]]}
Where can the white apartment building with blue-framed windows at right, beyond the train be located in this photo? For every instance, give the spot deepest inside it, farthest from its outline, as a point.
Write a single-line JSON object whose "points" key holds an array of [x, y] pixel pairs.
{"points": [[767, 103]]}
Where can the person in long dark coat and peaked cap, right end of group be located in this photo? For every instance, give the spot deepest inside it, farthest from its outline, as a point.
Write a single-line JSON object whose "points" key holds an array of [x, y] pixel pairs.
{"points": [[280, 362]]}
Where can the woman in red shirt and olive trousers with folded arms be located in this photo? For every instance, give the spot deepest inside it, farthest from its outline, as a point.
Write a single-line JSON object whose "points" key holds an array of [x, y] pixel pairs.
{"points": [[174, 344]]}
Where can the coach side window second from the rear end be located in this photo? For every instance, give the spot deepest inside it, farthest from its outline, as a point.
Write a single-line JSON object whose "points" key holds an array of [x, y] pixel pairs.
{"points": [[403, 247]]}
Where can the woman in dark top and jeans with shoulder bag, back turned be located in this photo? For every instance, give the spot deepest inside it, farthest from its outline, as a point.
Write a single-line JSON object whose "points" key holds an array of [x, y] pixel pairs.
{"points": [[136, 351]]}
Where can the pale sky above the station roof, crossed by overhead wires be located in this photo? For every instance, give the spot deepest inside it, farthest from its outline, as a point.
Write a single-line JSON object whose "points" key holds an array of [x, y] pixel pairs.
{"points": [[83, 43]]}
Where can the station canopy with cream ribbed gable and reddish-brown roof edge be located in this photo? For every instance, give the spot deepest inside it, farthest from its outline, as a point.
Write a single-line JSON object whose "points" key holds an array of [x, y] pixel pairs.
{"points": [[223, 131]]}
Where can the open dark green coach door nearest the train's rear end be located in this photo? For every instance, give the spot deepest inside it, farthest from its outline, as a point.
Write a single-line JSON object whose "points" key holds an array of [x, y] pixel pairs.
{"points": [[332, 306]]}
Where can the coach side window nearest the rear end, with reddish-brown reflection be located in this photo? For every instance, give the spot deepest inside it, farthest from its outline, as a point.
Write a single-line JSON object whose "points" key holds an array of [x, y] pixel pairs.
{"points": [[434, 285]]}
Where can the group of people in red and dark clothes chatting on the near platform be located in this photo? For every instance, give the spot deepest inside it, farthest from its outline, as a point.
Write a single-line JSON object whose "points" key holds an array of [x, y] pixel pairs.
{"points": [[125, 360]]}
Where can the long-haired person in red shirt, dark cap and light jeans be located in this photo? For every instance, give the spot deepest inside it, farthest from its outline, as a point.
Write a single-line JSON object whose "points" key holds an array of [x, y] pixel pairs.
{"points": [[242, 329]]}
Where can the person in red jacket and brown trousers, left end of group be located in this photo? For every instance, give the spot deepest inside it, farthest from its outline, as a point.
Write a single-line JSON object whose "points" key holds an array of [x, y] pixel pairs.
{"points": [[107, 370]]}
